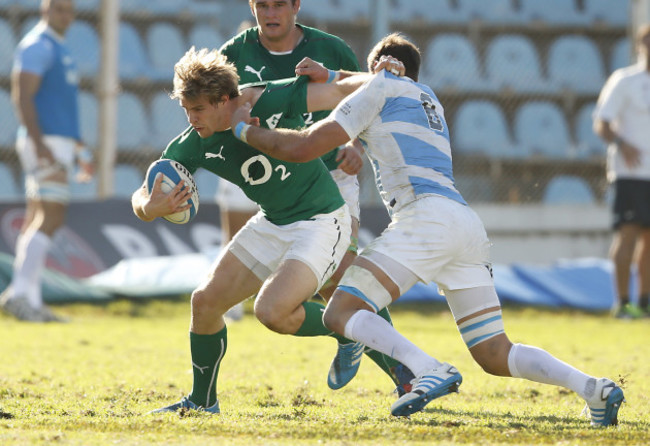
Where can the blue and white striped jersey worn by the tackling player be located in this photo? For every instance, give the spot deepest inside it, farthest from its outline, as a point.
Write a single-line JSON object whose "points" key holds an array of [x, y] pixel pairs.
{"points": [[402, 126]]}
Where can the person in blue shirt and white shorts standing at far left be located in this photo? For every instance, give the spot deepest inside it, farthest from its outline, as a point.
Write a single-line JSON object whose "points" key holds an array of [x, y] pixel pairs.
{"points": [[44, 88]]}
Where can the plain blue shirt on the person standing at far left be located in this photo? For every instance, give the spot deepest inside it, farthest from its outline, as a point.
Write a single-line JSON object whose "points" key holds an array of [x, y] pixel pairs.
{"points": [[43, 52]]}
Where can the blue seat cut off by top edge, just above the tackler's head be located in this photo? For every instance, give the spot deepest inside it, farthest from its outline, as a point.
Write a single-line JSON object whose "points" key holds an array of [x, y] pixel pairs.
{"points": [[432, 11]]}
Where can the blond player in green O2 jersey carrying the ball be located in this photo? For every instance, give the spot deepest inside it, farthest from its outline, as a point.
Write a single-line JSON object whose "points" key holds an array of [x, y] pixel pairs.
{"points": [[289, 249]]}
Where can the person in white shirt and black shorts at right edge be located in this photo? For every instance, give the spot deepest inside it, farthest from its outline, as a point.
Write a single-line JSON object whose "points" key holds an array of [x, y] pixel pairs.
{"points": [[622, 119]]}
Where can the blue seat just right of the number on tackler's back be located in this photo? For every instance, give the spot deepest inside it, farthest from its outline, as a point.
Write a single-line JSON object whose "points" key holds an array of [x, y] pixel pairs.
{"points": [[480, 127]]}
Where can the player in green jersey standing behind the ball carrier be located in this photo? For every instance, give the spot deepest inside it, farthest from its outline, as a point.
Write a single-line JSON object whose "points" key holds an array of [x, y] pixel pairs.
{"points": [[271, 50]]}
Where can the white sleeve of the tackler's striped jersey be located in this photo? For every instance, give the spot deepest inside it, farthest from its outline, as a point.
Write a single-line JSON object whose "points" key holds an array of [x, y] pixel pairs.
{"points": [[356, 112]]}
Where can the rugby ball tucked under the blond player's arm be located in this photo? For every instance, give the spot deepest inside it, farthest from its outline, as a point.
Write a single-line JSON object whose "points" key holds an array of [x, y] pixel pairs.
{"points": [[173, 172]]}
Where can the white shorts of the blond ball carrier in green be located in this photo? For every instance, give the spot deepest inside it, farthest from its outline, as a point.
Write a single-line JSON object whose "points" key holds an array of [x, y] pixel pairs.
{"points": [[319, 242]]}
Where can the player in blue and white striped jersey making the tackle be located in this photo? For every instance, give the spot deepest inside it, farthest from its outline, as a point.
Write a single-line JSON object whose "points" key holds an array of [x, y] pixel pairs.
{"points": [[434, 236]]}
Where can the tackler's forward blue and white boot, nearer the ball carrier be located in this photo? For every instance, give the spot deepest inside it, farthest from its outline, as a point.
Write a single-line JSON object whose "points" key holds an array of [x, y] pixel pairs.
{"points": [[429, 386]]}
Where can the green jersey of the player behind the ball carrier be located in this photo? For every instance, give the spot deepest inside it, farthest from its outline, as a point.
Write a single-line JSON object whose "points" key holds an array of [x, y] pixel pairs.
{"points": [[255, 63]]}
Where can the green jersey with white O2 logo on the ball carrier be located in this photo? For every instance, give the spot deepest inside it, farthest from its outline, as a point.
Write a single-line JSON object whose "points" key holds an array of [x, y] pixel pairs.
{"points": [[286, 192]]}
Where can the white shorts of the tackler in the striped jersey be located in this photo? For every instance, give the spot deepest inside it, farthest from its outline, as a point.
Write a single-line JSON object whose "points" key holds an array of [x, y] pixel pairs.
{"points": [[438, 240]]}
